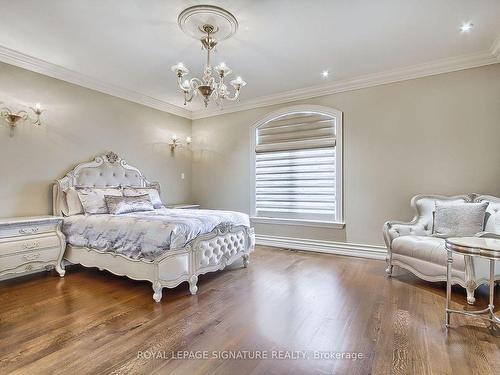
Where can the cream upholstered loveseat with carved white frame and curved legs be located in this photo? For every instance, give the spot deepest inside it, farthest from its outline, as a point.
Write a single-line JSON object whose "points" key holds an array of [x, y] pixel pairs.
{"points": [[412, 246]]}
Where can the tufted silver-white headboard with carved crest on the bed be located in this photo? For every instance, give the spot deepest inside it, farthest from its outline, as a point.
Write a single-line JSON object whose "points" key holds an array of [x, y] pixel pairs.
{"points": [[103, 171]]}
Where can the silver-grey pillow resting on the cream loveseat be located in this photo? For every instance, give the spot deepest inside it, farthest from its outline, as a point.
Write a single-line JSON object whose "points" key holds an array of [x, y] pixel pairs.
{"points": [[459, 219]]}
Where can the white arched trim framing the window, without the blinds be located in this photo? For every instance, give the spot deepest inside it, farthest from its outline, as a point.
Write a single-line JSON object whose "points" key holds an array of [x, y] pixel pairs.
{"points": [[316, 109]]}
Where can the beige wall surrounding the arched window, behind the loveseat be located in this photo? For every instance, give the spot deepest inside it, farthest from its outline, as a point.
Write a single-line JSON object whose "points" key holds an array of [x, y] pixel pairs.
{"points": [[438, 134]]}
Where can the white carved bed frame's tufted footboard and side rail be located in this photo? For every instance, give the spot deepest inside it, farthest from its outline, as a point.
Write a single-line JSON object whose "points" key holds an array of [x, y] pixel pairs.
{"points": [[206, 253]]}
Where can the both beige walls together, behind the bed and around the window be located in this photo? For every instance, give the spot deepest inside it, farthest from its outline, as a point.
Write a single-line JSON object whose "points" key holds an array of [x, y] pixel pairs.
{"points": [[438, 134]]}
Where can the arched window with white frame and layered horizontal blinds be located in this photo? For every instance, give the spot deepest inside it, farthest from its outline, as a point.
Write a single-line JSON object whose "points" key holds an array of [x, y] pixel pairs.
{"points": [[297, 166]]}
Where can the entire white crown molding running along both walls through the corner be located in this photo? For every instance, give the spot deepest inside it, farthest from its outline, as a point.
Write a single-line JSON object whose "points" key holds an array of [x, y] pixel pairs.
{"points": [[447, 65]]}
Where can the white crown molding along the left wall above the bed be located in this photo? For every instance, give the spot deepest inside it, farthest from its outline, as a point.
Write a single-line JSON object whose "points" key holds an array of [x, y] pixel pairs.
{"points": [[34, 64]]}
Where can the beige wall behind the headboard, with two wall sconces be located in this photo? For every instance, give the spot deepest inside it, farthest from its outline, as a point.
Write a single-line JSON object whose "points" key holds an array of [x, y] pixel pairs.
{"points": [[81, 124]]}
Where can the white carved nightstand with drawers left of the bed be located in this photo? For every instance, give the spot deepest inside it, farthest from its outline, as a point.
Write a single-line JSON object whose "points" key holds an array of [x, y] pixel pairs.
{"points": [[29, 244]]}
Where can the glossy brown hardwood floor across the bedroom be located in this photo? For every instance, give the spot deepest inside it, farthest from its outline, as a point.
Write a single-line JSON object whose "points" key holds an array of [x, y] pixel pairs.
{"points": [[91, 322]]}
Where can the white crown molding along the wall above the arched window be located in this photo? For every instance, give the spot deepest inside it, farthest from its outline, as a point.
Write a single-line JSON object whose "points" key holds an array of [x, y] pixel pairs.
{"points": [[396, 75]]}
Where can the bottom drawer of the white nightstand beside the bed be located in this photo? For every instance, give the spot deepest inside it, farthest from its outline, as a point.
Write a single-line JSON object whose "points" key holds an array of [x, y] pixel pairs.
{"points": [[31, 260]]}
